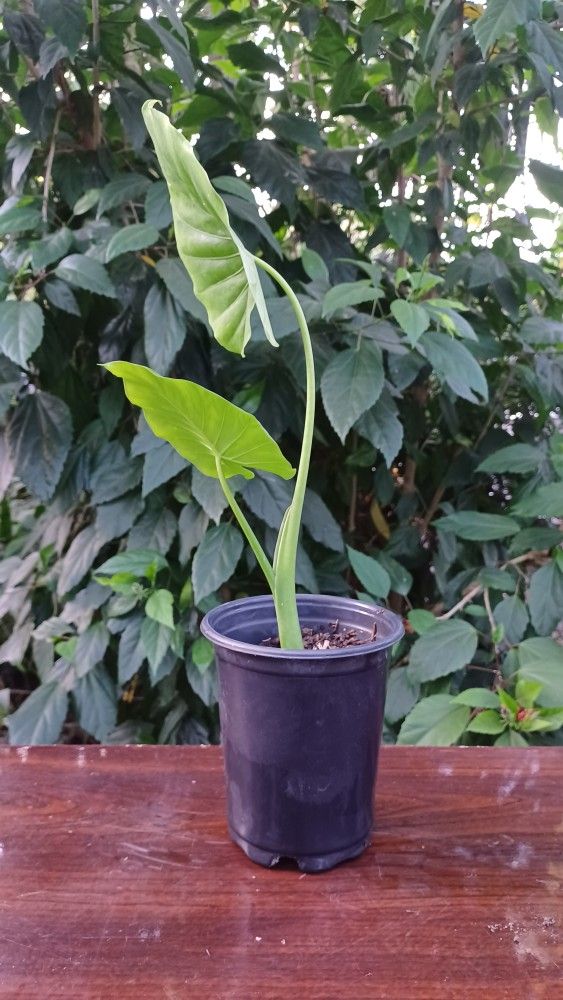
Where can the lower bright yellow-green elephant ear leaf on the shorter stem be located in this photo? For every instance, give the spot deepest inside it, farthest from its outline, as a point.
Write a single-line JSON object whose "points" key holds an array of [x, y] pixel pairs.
{"points": [[200, 425]]}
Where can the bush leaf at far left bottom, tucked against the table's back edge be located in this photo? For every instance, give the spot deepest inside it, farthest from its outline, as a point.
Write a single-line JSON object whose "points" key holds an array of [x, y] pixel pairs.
{"points": [[40, 718]]}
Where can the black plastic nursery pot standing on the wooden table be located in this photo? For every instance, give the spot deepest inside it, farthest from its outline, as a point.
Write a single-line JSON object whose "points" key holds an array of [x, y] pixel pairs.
{"points": [[301, 729]]}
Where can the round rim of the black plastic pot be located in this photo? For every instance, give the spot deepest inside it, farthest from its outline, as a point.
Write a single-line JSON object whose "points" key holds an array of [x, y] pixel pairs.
{"points": [[372, 611]]}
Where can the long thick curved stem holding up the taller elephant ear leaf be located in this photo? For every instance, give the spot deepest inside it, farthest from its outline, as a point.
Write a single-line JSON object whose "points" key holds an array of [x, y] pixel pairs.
{"points": [[286, 555]]}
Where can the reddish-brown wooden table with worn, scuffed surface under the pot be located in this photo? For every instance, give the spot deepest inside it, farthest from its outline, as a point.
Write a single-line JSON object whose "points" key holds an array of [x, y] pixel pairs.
{"points": [[117, 880]]}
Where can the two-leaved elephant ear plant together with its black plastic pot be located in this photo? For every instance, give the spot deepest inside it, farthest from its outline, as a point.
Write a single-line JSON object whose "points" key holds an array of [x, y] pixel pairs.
{"points": [[301, 678]]}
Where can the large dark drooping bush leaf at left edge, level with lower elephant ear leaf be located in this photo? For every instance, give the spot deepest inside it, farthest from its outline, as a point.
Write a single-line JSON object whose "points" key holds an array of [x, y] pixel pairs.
{"points": [[39, 436]]}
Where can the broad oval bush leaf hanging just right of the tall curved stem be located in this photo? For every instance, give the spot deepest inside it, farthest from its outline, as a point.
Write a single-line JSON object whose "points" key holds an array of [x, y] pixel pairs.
{"points": [[351, 383]]}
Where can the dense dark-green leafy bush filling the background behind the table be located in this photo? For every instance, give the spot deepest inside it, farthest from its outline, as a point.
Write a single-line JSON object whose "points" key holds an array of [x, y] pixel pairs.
{"points": [[366, 151]]}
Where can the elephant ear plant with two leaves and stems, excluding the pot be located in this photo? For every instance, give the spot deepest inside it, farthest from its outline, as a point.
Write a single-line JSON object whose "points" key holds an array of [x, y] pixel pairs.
{"points": [[216, 436]]}
